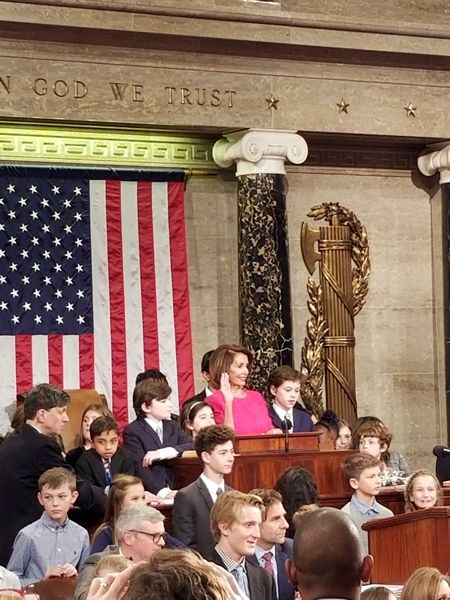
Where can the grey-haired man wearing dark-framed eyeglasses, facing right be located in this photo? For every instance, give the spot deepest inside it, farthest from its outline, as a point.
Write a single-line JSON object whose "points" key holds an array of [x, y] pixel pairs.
{"points": [[139, 534]]}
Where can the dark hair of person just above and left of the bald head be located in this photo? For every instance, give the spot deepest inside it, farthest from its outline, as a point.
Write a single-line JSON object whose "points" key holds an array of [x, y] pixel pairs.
{"points": [[298, 489]]}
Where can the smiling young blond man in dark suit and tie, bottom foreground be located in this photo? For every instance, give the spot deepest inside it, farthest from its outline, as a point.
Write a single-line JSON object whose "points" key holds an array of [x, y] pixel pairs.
{"points": [[235, 523]]}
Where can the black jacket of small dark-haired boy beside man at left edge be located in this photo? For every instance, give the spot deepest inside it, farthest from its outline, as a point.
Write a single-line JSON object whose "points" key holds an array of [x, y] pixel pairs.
{"points": [[90, 466]]}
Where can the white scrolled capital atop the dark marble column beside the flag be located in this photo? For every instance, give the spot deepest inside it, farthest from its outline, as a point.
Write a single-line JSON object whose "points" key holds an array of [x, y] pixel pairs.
{"points": [[260, 150]]}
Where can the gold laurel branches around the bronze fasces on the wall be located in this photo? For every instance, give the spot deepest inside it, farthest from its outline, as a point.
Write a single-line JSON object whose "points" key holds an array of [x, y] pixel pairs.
{"points": [[312, 367]]}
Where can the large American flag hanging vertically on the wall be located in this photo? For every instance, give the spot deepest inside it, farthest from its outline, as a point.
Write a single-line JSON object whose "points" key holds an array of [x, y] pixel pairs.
{"points": [[93, 282]]}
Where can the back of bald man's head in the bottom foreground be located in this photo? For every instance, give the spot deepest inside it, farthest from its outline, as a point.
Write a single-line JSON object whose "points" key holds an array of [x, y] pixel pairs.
{"points": [[328, 559]]}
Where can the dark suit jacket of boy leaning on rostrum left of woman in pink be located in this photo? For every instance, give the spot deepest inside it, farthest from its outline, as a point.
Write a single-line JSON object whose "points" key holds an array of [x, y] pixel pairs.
{"points": [[139, 438]]}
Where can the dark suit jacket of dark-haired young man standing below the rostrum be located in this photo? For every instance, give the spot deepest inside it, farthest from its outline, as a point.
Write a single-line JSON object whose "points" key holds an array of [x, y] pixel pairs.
{"points": [[190, 517]]}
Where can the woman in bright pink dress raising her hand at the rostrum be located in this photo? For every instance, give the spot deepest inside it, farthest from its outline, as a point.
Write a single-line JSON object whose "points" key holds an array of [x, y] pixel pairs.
{"points": [[232, 403]]}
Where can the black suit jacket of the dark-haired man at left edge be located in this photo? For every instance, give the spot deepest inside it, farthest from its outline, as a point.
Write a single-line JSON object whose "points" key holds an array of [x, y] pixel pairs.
{"points": [[24, 456]]}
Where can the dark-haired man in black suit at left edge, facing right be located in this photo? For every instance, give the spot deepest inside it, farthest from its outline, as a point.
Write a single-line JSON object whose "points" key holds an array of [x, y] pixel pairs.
{"points": [[25, 455]]}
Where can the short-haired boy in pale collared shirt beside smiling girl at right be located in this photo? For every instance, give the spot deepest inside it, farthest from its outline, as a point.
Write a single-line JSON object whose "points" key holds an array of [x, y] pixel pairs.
{"points": [[362, 471]]}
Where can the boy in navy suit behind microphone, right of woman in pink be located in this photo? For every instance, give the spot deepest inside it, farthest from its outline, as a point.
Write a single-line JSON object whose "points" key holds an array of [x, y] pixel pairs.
{"points": [[284, 386]]}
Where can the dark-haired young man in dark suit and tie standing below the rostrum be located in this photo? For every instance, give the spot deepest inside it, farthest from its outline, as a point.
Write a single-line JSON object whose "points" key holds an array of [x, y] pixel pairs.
{"points": [[192, 504]]}
